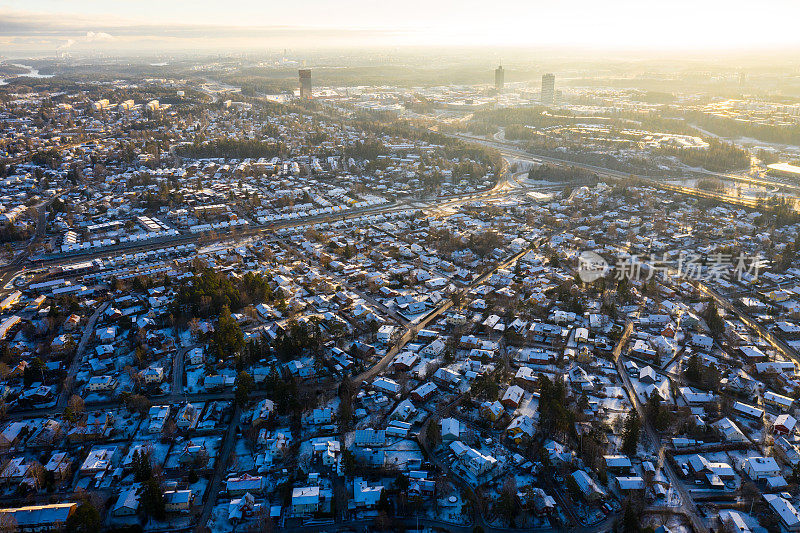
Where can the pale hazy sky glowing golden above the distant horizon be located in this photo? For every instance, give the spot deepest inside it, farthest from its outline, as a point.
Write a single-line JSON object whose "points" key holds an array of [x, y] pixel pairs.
{"points": [[594, 24]]}
